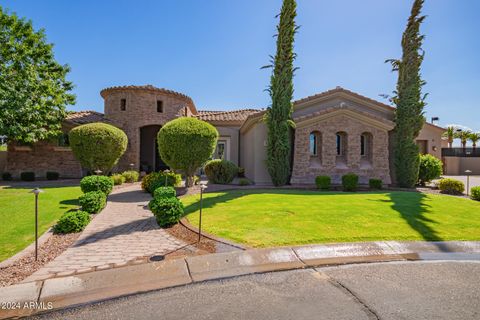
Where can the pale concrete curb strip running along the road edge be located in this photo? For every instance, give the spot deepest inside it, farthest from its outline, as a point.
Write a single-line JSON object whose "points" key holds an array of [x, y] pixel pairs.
{"points": [[40, 296]]}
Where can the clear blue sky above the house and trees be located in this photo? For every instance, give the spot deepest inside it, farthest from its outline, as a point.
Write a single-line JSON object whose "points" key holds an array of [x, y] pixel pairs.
{"points": [[212, 50]]}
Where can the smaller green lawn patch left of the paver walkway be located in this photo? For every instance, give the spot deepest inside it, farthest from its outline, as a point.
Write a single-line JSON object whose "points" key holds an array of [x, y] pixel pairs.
{"points": [[17, 214]]}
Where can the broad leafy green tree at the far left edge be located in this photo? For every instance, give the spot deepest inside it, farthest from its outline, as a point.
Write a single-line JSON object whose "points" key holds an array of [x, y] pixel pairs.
{"points": [[33, 89]]}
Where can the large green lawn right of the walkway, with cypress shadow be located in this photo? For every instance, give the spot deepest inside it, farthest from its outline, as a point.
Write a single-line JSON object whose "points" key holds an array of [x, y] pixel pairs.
{"points": [[264, 218]]}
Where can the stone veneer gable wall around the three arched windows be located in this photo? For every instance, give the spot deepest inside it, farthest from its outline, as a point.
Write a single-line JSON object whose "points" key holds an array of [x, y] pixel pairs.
{"points": [[304, 169]]}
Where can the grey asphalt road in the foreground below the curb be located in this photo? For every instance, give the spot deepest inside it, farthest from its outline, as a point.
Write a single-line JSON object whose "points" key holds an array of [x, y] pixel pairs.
{"points": [[409, 290]]}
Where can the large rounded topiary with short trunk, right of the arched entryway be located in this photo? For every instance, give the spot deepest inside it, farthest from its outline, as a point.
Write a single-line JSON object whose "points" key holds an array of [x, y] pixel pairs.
{"points": [[186, 144]]}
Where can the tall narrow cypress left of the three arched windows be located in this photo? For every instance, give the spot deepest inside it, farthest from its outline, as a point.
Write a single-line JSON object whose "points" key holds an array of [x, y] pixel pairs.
{"points": [[278, 117]]}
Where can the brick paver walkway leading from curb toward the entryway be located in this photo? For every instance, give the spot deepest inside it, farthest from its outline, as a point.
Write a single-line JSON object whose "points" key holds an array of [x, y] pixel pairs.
{"points": [[124, 232]]}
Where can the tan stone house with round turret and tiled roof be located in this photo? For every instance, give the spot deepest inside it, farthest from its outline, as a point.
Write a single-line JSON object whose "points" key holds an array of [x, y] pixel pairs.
{"points": [[337, 132]]}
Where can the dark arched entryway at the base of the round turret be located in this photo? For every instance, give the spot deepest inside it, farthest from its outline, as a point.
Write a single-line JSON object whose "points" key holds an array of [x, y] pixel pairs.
{"points": [[149, 157]]}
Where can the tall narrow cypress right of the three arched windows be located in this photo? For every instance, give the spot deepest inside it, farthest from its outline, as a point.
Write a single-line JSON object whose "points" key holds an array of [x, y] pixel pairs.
{"points": [[410, 102]]}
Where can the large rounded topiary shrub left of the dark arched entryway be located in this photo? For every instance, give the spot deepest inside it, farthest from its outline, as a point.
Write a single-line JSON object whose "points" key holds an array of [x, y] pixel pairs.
{"points": [[98, 146]]}
